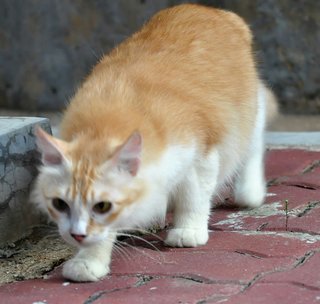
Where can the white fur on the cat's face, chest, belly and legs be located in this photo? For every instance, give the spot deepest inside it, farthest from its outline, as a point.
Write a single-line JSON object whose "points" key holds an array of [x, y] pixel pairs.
{"points": [[183, 175]]}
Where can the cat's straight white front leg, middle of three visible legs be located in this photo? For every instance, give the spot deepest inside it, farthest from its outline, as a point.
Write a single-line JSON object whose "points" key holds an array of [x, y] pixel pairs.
{"points": [[192, 202]]}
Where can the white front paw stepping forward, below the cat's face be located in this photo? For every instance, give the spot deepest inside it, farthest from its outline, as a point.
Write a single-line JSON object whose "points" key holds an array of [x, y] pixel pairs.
{"points": [[82, 270]]}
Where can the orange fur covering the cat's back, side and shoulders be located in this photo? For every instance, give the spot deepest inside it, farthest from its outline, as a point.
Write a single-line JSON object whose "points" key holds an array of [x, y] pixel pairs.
{"points": [[188, 73]]}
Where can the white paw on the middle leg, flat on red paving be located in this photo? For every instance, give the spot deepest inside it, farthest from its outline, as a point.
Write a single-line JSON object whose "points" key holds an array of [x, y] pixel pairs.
{"points": [[187, 237]]}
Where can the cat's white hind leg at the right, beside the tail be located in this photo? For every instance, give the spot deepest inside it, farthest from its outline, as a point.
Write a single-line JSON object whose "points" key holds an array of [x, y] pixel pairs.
{"points": [[250, 185]]}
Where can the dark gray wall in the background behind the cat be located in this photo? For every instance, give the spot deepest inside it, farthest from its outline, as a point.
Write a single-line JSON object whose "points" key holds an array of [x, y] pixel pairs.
{"points": [[47, 47]]}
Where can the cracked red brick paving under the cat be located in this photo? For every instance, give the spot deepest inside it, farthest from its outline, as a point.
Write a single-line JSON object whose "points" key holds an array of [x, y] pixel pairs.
{"points": [[267, 255]]}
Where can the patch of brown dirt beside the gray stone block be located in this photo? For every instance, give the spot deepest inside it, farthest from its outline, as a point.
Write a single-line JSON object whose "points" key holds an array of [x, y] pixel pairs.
{"points": [[34, 256]]}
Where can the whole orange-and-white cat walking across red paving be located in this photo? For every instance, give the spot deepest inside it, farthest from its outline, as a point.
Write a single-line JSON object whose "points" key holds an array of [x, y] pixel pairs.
{"points": [[172, 114]]}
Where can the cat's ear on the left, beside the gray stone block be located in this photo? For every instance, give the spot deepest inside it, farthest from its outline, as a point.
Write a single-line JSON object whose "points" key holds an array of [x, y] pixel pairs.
{"points": [[52, 149]]}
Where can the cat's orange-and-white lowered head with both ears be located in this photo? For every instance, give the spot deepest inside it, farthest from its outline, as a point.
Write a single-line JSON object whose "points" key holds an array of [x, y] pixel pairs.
{"points": [[86, 197]]}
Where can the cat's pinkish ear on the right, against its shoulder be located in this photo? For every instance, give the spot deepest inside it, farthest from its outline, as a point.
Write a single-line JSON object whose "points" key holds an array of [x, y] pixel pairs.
{"points": [[128, 156]]}
